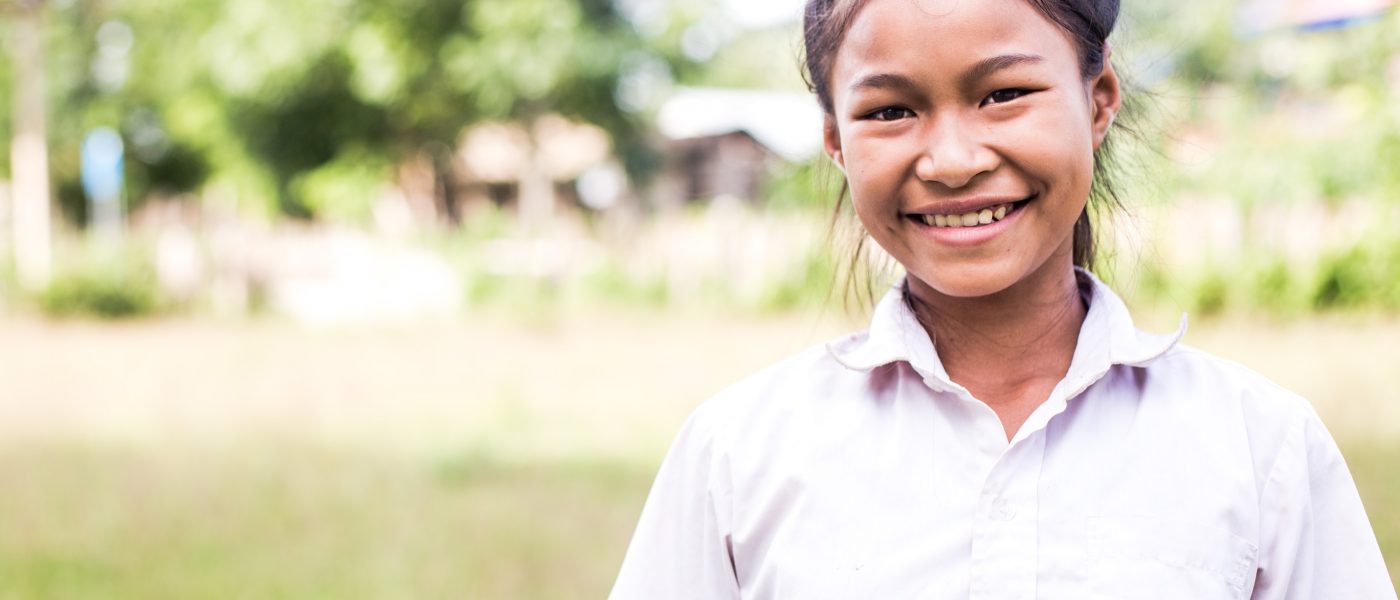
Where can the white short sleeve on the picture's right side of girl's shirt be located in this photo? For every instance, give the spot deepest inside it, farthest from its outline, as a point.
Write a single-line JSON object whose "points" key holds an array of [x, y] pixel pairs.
{"points": [[1317, 542]]}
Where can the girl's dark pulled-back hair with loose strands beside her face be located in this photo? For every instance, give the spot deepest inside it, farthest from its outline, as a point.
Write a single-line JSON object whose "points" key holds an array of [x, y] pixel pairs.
{"points": [[1088, 24]]}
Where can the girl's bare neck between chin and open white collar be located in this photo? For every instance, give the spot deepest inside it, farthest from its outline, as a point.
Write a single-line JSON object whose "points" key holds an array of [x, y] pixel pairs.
{"points": [[1009, 349]]}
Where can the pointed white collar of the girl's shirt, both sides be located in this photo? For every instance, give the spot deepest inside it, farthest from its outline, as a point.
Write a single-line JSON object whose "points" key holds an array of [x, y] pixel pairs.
{"points": [[1108, 336]]}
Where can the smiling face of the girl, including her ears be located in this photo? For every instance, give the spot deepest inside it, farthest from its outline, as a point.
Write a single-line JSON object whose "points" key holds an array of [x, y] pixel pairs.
{"points": [[967, 132]]}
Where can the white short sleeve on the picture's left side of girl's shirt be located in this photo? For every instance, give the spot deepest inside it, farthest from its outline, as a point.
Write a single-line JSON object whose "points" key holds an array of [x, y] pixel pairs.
{"points": [[681, 548]]}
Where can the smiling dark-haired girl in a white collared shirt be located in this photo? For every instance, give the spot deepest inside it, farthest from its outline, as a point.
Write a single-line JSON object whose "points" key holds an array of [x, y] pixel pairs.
{"points": [[1002, 431]]}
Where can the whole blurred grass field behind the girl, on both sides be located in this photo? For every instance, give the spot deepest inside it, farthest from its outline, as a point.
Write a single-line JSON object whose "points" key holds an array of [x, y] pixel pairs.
{"points": [[488, 458]]}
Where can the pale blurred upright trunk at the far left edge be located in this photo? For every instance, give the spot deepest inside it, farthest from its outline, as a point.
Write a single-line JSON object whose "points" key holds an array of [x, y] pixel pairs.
{"points": [[29, 152]]}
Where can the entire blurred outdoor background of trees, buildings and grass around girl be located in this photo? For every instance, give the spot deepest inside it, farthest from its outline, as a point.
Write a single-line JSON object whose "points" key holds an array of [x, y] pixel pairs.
{"points": [[407, 299]]}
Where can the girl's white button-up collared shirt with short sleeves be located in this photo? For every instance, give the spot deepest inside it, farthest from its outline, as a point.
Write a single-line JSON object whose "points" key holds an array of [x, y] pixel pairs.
{"points": [[860, 471]]}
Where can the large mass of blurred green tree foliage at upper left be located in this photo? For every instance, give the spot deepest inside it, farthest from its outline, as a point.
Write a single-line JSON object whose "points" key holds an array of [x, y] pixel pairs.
{"points": [[258, 96]]}
